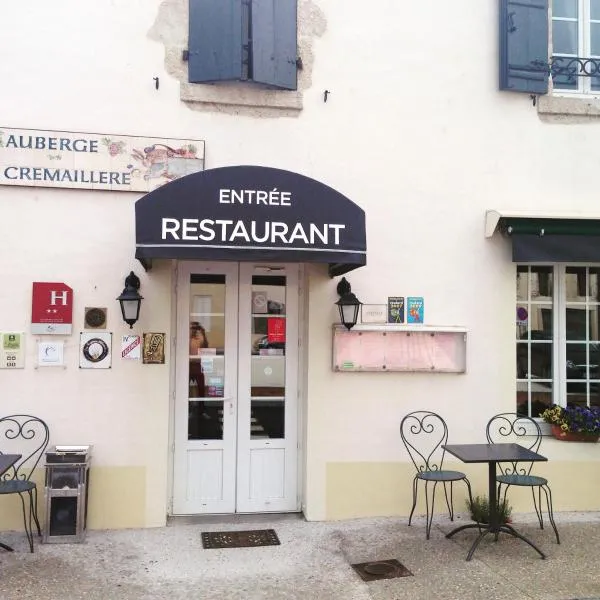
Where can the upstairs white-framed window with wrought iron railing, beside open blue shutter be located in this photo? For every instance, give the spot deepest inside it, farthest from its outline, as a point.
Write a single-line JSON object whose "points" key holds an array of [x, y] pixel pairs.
{"points": [[575, 43]]}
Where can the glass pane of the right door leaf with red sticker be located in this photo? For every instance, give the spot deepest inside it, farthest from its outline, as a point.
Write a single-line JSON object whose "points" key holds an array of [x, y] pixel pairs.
{"points": [[267, 377]]}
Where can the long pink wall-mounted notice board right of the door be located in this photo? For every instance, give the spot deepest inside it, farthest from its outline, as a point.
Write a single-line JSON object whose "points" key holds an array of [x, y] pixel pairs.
{"points": [[429, 351]]}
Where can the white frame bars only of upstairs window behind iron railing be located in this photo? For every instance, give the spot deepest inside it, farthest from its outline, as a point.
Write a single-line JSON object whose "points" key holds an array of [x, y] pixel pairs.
{"points": [[584, 21]]}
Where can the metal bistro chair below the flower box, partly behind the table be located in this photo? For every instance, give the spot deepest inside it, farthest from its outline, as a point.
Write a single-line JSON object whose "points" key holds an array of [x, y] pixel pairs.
{"points": [[526, 432]]}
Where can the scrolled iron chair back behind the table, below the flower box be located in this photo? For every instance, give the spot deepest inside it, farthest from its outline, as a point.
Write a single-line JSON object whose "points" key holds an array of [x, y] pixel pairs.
{"points": [[512, 427]]}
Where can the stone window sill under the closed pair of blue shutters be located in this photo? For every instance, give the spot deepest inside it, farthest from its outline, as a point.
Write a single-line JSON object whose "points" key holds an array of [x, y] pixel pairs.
{"points": [[240, 95]]}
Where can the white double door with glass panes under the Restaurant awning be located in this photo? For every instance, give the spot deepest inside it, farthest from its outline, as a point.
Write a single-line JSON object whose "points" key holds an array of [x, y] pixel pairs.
{"points": [[236, 400]]}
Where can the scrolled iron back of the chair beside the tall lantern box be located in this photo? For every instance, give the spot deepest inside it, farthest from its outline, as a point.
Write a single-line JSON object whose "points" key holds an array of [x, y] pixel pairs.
{"points": [[26, 435]]}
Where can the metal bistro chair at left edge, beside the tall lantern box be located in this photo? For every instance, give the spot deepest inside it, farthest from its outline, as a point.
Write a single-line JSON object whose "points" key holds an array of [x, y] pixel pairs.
{"points": [[26, 435]]}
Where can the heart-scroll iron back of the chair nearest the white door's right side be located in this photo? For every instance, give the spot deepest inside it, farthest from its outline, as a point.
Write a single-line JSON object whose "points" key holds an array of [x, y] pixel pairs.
{"points": [[423, 434]]}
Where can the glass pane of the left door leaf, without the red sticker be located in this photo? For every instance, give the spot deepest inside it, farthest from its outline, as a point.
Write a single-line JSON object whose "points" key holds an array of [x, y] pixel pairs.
{"points": [[206, 357]]}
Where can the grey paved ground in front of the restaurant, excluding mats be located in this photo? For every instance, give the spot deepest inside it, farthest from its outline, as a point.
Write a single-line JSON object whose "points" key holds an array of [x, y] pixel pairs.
{"points": [[312, 562]]}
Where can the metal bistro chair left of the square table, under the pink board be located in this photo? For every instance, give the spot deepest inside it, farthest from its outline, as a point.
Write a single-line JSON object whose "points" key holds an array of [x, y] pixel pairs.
{"points": [[424, 433]]}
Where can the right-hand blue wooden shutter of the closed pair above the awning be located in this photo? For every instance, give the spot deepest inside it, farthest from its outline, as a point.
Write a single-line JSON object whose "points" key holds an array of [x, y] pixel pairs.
{"points": [[274, 43]]}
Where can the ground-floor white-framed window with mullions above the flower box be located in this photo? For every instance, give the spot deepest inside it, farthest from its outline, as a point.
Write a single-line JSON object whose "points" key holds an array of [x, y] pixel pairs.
{"points": [[557, 336]]}
